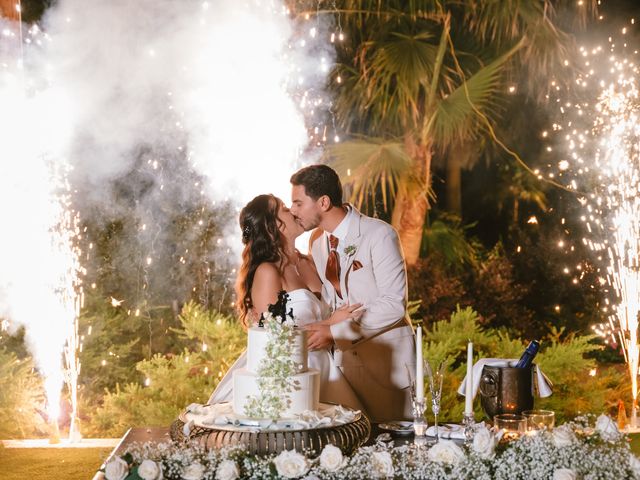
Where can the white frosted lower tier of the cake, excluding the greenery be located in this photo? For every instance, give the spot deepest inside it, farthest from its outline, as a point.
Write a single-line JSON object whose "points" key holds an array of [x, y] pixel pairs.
{"points": [[305, 396]]}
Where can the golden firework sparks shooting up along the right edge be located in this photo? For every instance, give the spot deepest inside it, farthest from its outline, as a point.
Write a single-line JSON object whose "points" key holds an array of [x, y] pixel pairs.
{"points": [[601, 132]]}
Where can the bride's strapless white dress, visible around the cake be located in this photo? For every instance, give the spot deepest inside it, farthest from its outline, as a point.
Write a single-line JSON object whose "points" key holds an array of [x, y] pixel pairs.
{"points": [[334, 388]]}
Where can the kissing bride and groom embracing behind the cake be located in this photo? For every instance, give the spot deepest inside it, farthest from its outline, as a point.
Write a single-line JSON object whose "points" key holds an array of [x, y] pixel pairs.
{"points": [[349, 293]]}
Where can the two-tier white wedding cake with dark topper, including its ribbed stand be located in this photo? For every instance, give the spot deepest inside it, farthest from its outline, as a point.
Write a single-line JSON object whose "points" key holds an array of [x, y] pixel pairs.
{"points": [[275, 391]]}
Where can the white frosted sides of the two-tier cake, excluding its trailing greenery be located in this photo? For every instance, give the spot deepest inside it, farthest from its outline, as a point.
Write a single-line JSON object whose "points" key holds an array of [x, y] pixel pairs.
{"points": [[305, 395]]}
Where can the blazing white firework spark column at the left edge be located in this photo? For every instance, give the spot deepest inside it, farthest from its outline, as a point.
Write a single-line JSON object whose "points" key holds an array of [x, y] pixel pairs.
{"points": [[39, 283]]}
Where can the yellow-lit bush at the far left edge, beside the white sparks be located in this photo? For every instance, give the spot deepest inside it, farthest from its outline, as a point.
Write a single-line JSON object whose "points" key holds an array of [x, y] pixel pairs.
{"points": [[21, 397]]}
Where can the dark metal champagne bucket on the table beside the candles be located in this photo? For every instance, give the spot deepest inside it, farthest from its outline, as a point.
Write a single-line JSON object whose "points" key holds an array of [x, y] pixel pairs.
{"points": [[506, 390]]}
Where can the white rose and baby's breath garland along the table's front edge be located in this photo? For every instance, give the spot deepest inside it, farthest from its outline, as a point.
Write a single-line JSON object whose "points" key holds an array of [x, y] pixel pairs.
{"points": [[572, 451]]}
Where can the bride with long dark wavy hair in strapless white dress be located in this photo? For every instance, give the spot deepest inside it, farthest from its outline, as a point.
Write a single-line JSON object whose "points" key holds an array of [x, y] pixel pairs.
{"points": [[270, 264]]}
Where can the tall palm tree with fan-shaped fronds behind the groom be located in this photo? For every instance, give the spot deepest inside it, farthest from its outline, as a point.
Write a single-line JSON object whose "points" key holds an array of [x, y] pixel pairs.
{"points": [[418, 78]]}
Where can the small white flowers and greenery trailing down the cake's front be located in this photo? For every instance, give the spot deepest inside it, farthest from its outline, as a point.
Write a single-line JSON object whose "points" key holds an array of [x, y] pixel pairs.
{"points": [[275, 375]]}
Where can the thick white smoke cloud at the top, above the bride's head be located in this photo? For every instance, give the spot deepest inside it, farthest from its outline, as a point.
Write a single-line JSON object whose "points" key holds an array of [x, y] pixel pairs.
{"points": [[217, 69]]}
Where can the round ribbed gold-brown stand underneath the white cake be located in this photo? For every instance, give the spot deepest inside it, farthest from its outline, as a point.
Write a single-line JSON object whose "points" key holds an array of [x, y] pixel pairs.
{"points": [[348, 437]]}
